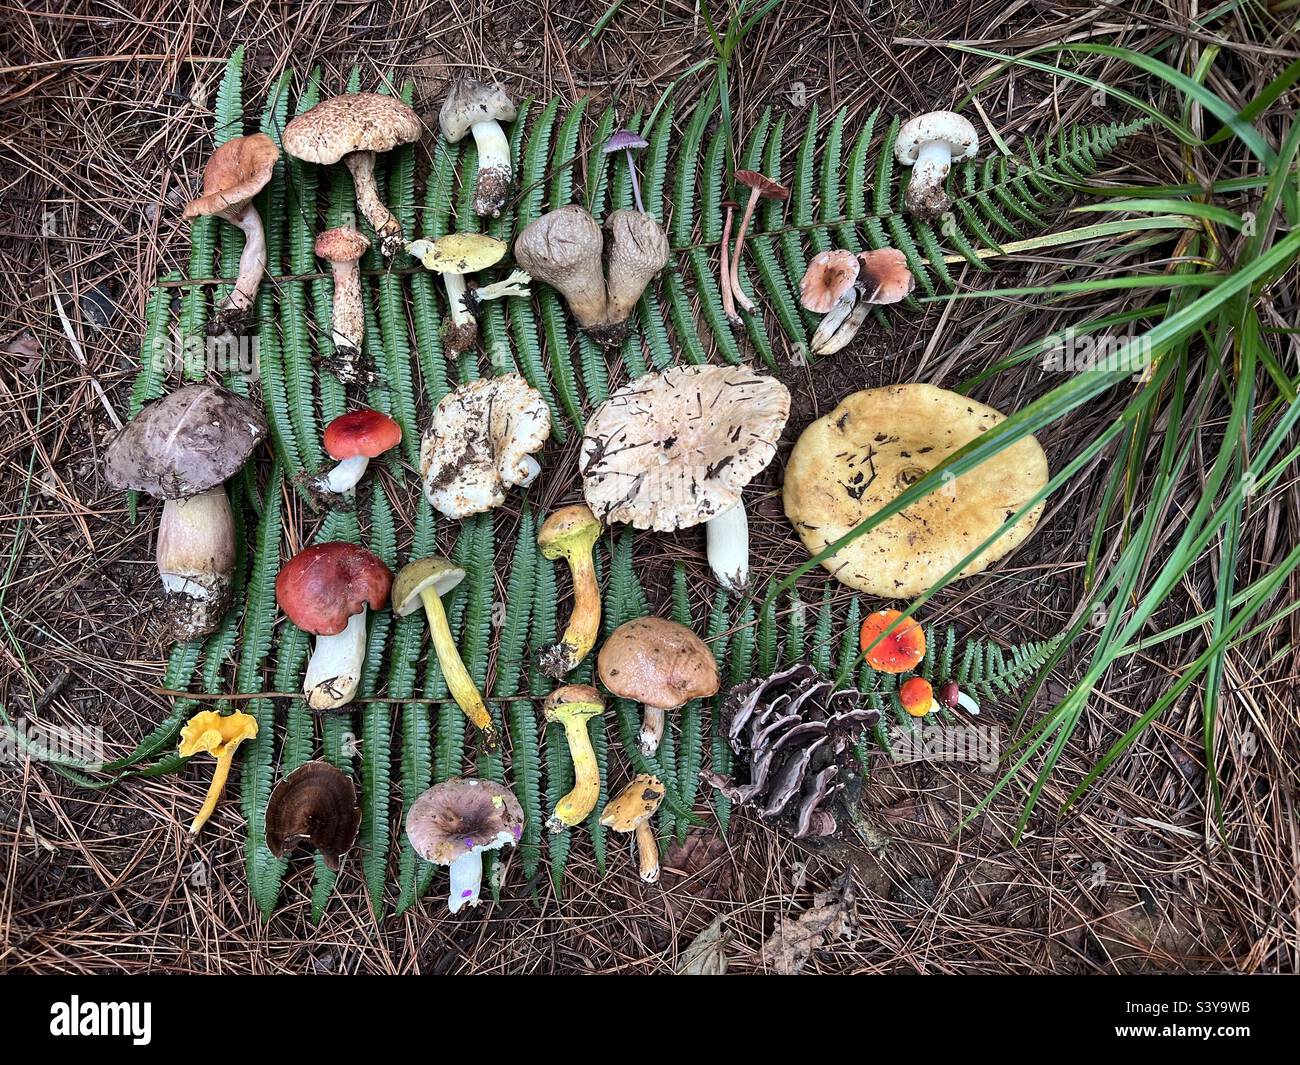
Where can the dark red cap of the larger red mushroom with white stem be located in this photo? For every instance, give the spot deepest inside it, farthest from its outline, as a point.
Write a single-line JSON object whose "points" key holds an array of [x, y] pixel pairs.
{"points": [[324, 586]]}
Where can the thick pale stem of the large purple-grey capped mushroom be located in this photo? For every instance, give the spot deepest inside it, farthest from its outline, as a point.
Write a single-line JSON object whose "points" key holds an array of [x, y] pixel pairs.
{"points": [[197, 561]]}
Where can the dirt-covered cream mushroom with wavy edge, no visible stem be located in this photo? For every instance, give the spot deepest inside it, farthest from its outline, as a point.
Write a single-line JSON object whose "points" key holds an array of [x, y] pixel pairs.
{"points": [[482, 443]]}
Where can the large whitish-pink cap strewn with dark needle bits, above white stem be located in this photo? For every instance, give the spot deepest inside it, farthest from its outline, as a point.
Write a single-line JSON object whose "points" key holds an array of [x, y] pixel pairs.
{"points": [[674, 449]]}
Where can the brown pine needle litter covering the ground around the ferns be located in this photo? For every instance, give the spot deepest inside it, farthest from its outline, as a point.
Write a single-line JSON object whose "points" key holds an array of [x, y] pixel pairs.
{"points": [[106, 122]]}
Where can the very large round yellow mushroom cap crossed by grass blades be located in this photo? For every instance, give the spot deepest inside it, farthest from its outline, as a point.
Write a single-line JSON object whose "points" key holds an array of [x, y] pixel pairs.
{"points": [[878, 443]]}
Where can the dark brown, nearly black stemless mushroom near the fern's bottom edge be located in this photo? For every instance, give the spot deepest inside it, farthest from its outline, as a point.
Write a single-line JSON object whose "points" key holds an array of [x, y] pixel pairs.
{"points": [[315, 804]]}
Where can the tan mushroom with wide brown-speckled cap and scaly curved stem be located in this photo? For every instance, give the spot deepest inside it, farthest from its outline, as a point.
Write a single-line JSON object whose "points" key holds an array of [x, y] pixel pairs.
{"points": [[354, 128]]}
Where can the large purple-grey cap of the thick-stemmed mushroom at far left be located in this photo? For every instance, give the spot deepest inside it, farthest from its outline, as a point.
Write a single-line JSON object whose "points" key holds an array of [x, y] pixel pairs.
{"points": [[189, 441]]}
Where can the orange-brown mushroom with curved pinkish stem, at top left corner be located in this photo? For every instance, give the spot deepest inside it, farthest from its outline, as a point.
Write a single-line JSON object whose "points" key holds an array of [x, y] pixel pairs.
{"points": [[237, 172]]}
